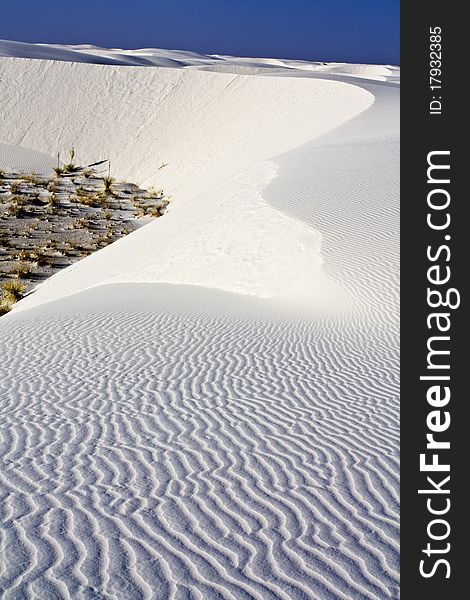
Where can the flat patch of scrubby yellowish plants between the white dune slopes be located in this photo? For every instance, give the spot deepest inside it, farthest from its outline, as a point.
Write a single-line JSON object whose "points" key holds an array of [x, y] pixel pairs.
{"points": [[47, 223]]}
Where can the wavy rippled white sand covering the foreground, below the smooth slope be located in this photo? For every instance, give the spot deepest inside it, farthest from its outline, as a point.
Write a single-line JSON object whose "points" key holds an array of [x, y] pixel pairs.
{"points": [[156, 455]]}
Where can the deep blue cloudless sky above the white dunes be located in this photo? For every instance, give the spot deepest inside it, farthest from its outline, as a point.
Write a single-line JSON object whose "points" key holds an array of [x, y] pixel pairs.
{"points": [[329, 30]]}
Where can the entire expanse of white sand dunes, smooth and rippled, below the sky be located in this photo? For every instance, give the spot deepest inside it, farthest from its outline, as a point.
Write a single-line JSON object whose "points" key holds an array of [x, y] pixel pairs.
{"points": [[208, 407]]}
